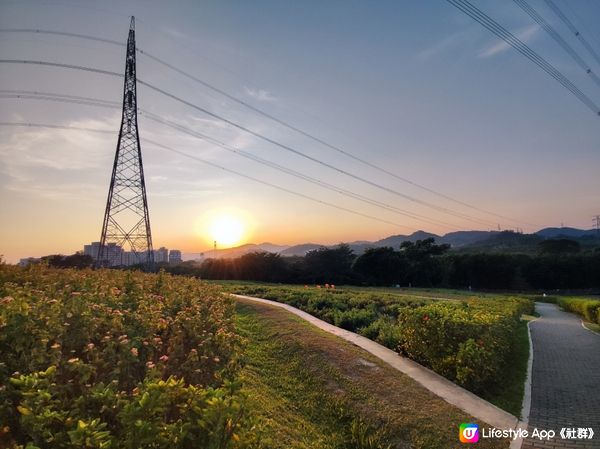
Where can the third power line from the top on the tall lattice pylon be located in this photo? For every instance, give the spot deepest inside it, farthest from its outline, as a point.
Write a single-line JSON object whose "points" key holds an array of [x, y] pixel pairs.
{"points": [[22, 94]]}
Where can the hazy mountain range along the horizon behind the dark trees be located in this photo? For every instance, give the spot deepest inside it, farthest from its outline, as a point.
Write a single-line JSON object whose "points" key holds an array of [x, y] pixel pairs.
{"points": [[459, 240]]}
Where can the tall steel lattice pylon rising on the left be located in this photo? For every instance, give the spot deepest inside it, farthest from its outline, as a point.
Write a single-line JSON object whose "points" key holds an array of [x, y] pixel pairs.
{"points": [[126, 222]]}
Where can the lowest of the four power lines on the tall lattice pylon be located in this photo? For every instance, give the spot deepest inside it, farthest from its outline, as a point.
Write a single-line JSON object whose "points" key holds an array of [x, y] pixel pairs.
{"points": [[220, 167]]}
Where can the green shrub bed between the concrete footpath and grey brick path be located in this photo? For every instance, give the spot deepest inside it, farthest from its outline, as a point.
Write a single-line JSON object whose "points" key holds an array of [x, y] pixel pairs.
{"points": [[468, 341]]}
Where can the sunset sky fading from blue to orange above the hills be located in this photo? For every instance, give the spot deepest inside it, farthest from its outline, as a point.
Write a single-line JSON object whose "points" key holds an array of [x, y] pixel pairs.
{"points": [[417, 88]]}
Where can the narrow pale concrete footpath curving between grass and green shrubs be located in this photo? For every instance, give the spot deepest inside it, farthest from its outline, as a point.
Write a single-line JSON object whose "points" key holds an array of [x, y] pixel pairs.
{"points": [[442, 387]]}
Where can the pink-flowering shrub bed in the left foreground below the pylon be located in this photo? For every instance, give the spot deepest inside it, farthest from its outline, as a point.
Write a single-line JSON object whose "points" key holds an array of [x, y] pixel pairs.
{"points": [[111, 359]]}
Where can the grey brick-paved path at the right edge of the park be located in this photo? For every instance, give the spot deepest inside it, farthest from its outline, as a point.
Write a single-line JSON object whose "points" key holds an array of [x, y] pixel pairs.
{"points": [[565, 378]]}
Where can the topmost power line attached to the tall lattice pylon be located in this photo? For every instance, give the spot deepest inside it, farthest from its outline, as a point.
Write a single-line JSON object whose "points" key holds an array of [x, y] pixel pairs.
{"points": [[264, 114]]}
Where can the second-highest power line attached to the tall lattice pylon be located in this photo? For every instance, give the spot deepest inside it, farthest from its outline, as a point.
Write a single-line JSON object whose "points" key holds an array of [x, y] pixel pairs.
{"points": [[256, 134]]}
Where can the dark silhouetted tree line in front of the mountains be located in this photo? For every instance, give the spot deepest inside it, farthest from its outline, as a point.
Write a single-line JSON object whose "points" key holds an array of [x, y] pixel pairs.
{"points": [[558, 265]]}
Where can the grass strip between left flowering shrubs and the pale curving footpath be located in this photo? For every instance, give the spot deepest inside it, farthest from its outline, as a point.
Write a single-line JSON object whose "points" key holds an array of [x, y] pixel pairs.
{"points": [[314, 390]]}
